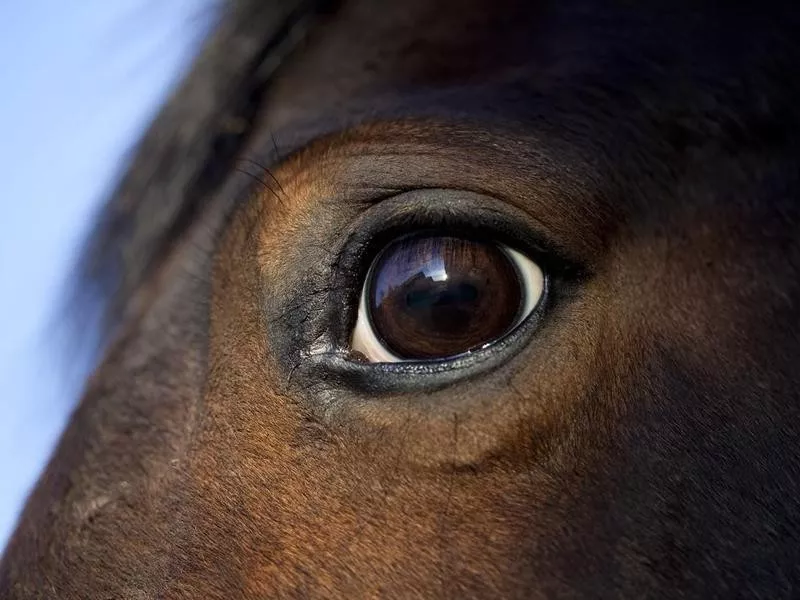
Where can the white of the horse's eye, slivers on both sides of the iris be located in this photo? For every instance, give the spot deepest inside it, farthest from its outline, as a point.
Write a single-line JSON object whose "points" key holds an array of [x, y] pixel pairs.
{"points": [[365, 340]]}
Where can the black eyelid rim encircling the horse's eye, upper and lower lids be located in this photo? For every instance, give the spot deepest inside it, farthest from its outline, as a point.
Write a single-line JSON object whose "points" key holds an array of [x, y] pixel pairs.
{"points": [[434, 209]]}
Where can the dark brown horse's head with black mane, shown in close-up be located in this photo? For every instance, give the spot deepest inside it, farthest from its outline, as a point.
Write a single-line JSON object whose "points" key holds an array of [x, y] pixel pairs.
{"points": [[465, 298]]}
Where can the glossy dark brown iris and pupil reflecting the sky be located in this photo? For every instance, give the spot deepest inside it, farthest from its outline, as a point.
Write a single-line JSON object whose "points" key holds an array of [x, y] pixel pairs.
{"points": [[433, 297]]}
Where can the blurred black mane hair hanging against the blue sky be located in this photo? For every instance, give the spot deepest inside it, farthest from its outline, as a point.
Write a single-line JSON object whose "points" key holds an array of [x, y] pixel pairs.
{"points": [[188, 151]]}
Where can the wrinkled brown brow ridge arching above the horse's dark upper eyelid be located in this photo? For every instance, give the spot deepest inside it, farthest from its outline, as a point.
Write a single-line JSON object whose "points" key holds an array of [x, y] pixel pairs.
{"points": [[386, 157]]}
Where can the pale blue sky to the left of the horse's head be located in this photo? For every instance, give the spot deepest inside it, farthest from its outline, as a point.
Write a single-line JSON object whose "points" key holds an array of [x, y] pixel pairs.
{"points": [[79, 82]]}
